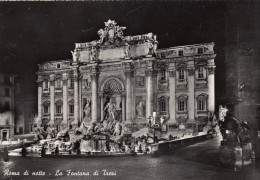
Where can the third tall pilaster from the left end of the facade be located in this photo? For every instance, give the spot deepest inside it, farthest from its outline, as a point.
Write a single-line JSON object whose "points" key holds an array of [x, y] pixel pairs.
{"points": [[65, 100]]}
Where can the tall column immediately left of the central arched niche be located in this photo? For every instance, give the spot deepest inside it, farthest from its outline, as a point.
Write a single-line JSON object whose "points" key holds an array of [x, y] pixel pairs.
{"points": [[94, 100]]}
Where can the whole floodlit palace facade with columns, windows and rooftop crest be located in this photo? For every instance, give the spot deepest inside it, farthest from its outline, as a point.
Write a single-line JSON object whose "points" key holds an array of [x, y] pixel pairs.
{"points": [[132, 74]]}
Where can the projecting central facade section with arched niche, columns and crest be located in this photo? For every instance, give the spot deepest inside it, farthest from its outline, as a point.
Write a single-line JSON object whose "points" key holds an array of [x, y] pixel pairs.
{"points": [[111, 65]]}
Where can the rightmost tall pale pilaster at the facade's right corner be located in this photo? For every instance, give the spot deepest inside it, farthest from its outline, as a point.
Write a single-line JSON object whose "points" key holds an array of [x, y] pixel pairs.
{"points": [[211, 85]]}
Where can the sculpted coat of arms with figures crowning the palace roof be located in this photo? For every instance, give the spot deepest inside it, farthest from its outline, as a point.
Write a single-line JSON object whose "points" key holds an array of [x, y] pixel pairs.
{"points": [[111, 33]]}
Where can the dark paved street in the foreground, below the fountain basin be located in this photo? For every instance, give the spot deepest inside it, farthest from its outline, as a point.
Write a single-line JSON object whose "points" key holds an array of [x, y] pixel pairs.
{"points": [[199, 161]]}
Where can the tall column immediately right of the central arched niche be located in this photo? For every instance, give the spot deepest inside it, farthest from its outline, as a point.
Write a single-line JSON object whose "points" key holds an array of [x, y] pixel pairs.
{"points": [[129, 75]]}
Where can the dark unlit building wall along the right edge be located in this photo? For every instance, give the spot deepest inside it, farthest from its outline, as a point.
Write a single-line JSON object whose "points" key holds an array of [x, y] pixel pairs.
{"points": [[242, 65]]}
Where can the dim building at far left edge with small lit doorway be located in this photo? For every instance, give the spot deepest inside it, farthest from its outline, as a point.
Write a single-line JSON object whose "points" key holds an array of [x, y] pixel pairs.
{"points": [[6, 106]]}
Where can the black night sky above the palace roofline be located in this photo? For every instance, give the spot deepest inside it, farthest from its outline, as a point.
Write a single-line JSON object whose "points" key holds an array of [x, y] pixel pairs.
{"points": [[34, 32]]}
